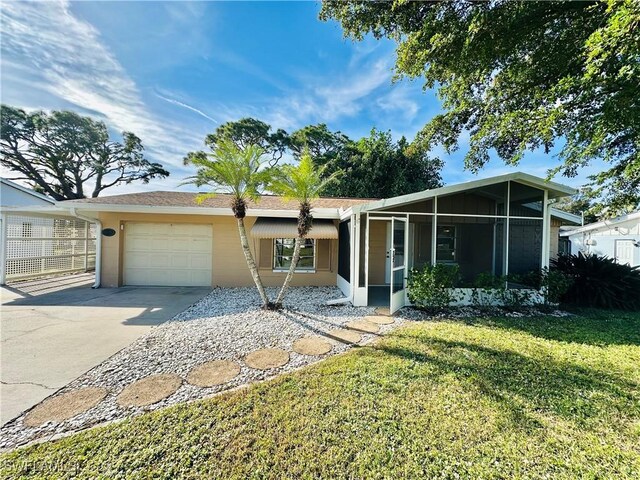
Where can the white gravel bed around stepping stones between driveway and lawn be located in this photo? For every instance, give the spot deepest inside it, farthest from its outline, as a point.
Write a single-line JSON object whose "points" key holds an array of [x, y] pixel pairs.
{"points": [[227, 324]]}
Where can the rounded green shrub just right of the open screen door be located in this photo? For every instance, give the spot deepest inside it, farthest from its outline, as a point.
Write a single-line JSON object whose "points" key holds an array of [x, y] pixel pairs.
{"points": [[431, 287]]}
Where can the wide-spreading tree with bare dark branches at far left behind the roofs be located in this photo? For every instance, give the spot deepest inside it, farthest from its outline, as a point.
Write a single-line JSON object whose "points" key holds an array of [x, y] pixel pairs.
{"points": [[63, 154]]}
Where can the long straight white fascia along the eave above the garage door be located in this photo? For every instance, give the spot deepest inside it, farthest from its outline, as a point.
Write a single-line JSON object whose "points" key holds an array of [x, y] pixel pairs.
{"points": [[320, 213]]}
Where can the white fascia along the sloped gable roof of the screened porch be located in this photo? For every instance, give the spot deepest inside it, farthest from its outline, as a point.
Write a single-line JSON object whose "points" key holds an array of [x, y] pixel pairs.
{"points": [[556, 189]]}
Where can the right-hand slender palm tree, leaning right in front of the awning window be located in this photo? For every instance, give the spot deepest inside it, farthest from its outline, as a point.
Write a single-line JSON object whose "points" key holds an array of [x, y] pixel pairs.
{"points": [[304, 183]]}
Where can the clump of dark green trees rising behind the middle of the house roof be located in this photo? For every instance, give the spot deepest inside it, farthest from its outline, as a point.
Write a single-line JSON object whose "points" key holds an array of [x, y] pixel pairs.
{"points": [[372, 167]]}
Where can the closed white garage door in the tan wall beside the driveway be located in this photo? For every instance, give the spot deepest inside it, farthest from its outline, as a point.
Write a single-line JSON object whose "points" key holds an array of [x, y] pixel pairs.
{"points": [[167, 254]]}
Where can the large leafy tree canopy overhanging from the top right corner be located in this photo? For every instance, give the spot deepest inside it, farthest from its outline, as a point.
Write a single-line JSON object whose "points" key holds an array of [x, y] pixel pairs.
{"points": [[522, 75]]}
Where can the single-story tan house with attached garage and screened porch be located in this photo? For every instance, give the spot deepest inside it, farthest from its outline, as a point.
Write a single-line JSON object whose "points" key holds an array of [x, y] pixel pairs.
{"points": [[364, 246]]}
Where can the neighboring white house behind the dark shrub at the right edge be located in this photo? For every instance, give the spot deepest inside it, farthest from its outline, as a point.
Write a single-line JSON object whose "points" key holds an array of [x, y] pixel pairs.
{"points": [[618, 238]]}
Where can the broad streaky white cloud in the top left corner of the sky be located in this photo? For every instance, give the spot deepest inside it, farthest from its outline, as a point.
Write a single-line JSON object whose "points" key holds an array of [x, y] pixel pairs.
{"points": [[65, 56]]}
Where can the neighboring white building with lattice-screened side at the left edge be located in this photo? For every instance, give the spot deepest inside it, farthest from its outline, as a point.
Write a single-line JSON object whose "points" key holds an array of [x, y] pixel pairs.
{"points": [[33, 244]]}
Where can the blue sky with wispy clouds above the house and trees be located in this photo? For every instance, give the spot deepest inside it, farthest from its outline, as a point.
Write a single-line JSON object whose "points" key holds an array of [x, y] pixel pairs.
{"points": [[172, 72]]}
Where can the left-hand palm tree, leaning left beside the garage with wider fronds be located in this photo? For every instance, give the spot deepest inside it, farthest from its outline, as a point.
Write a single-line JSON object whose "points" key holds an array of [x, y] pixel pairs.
{"points": [[239, 172]]}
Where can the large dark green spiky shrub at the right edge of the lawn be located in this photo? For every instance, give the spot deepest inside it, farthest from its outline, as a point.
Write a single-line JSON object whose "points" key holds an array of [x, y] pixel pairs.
{"points": [[599, 281]]}
